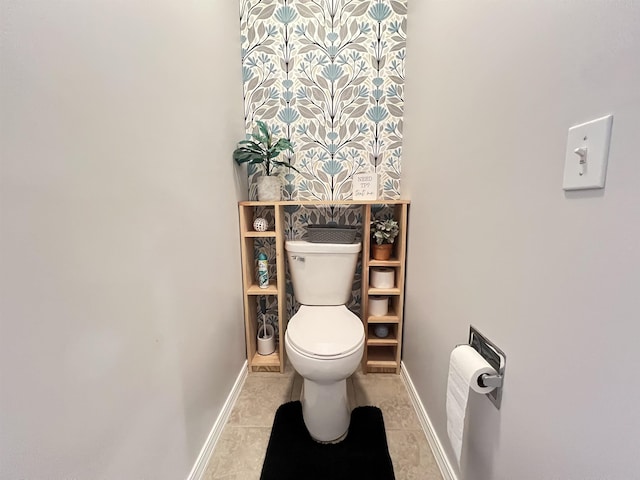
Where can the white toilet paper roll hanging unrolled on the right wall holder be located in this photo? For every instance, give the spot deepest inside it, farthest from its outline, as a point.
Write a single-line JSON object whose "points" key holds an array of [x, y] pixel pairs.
{"points": [[466, 367]]}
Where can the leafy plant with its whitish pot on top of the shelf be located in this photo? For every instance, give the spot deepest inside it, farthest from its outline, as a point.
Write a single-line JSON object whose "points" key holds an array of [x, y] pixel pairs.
{"points": [[261, 148]]}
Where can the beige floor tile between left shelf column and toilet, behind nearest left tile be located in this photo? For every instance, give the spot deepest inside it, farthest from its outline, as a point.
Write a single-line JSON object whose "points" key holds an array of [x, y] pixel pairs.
{"points": [[259, 399]]}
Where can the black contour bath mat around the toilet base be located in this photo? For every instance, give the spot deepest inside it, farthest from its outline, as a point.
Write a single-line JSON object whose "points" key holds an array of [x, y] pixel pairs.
{"points": [[293, 455]]}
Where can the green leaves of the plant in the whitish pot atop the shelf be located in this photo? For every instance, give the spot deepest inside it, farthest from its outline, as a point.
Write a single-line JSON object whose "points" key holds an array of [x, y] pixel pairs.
{"points": [[262, 149]]}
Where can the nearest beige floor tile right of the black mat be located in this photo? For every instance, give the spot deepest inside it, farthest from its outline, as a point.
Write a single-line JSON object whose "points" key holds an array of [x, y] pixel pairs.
{"points": [[411, 455]]}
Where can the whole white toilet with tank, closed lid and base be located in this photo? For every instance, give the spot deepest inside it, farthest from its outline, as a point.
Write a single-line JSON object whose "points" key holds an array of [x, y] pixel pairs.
{"points": [[324, 340]]}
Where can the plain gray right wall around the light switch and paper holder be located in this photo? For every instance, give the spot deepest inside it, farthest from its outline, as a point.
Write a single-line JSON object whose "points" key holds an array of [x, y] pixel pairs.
{"points": [[552, 278]]}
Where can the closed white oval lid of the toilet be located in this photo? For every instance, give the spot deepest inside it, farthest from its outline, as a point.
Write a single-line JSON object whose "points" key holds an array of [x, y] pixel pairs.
{"points": [[325, 331]]}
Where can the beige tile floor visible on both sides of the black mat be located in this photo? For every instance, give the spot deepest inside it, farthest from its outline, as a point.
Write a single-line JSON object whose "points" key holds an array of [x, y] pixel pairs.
{"points": [[240, 450]]}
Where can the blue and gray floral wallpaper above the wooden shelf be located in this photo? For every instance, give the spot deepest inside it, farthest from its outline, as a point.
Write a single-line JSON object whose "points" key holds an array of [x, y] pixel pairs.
{"points": [[329, 76]]}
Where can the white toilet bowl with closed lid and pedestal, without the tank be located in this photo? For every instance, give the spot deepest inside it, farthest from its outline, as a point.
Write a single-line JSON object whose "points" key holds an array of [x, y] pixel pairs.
{"points": [[325, 345]]}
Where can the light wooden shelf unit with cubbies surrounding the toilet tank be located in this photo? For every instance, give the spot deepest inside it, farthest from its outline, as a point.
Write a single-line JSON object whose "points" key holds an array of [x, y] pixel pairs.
{"points": [[381, 354]]}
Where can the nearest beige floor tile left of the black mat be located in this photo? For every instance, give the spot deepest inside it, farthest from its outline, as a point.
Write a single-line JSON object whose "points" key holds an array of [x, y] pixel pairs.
{"points": [[239, 454]]}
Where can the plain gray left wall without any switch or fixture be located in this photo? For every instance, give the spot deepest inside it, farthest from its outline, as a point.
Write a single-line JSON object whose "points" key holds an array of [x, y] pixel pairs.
{"points": [[121, 331]]}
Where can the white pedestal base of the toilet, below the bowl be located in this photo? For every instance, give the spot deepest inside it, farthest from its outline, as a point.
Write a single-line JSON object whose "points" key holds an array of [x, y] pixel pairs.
{"points": [[325, 410]]}
